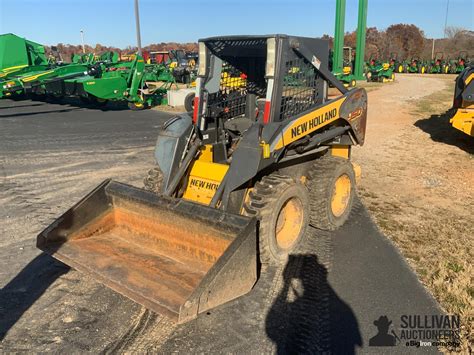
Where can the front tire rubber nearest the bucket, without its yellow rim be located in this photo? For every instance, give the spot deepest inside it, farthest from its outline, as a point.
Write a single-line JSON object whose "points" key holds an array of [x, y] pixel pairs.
{"points": [[265, 202]]}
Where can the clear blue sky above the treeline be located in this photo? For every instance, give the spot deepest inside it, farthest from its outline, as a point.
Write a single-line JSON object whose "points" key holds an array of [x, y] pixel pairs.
{"points": [[112, 23]]}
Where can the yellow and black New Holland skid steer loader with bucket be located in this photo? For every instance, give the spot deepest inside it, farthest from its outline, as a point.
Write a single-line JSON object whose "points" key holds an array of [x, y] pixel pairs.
{"points": [[237, 180]]}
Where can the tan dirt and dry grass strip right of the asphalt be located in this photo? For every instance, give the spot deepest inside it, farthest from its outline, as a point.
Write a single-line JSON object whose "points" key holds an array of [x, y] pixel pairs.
{"points": [[418, 175]]}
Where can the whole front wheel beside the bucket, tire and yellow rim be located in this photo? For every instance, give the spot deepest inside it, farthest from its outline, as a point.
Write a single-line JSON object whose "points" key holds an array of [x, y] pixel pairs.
{"points": [[282, 207]]}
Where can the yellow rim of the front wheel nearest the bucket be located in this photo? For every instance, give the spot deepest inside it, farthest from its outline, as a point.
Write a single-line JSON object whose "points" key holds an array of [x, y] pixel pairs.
{"points": [[289, 223]]}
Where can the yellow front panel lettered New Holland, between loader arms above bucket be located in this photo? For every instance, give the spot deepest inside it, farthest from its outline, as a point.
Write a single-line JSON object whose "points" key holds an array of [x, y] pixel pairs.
{"points": [[204, 179]]}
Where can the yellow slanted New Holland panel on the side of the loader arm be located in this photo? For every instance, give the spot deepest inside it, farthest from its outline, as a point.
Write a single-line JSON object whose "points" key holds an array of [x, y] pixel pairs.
{"points": [[309, 123]]}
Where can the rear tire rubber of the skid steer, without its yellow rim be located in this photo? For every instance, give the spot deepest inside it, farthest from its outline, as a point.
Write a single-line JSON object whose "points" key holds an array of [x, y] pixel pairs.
{"points": [[320, 181]]}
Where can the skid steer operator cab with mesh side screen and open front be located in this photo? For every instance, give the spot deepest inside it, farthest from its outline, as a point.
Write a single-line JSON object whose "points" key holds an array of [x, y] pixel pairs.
{"points": [[237, 86]]}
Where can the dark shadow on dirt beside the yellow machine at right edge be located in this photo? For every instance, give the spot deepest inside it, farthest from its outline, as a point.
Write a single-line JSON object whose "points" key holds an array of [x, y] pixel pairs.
{"points": [[440, 130]]}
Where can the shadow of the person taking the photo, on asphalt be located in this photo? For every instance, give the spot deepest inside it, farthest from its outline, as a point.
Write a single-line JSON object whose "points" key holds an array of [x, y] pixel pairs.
{"points": [[307, 315]]}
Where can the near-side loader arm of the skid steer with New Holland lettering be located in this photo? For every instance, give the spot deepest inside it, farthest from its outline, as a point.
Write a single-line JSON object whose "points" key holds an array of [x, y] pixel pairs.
{"points": [[350, 111]]}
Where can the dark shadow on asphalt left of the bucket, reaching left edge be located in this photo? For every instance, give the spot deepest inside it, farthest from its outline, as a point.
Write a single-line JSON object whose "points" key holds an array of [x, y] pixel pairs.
{"points": [[25, 289]]}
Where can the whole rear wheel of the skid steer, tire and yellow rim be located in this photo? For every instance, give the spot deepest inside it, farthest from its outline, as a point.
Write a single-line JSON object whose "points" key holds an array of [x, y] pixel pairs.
{"points": [[331, 182]]}
